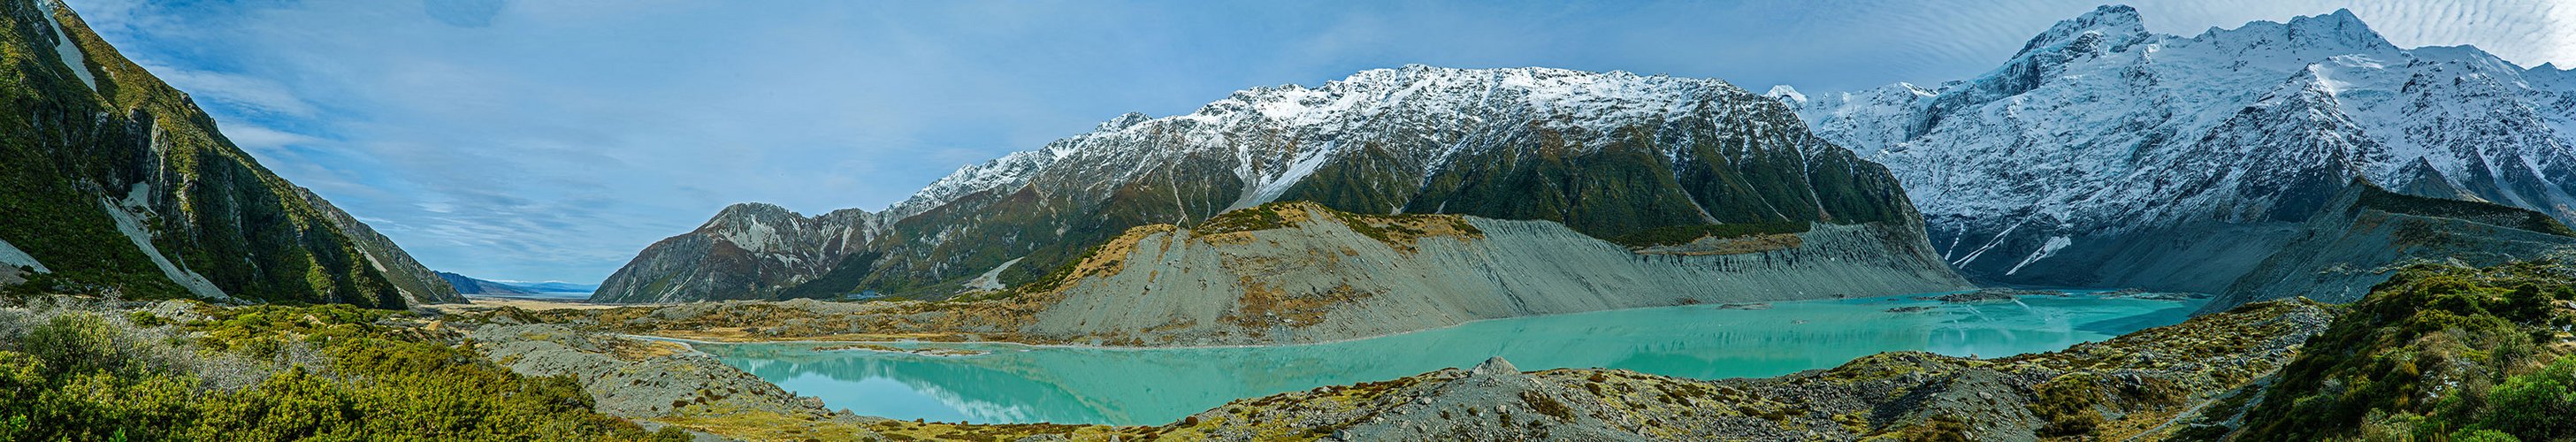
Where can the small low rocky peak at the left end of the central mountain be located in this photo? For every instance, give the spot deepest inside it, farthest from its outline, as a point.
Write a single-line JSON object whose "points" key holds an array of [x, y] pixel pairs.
{"points": [[751, 251]]}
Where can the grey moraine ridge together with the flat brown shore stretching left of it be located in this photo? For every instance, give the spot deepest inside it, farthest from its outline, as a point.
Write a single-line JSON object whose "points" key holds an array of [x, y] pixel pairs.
{"points": [[1292, 274]]}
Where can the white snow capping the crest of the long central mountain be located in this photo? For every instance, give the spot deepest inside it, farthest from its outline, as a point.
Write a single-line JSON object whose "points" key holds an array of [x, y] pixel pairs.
{"points": [[1359, 107]]}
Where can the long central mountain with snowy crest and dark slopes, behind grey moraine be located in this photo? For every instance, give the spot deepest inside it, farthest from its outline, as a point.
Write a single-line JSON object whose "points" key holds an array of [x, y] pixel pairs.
{"points": [[1601, 153]]}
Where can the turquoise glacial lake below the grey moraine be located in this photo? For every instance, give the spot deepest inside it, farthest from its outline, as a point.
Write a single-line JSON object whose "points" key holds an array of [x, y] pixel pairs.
{"points": [[1155, 387]]}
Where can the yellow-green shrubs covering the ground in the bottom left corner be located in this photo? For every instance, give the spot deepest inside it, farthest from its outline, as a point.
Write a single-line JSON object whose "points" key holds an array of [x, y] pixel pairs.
{"points": [[89, 376]]}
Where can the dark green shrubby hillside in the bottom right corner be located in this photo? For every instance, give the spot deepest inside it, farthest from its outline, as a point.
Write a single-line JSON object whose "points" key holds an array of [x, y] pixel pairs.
{"points": [[2438, 353]]}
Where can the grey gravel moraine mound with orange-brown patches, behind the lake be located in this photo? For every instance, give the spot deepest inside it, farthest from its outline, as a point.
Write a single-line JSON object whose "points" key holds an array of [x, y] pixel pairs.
{"points": [[1336, 276]]}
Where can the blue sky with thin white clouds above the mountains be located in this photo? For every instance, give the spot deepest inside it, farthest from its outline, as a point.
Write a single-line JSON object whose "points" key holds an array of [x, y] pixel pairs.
{"points": [[553, 140]]}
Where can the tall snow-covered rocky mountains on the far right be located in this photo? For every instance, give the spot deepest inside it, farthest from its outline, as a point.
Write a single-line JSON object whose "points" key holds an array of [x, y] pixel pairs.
{"points": [[2108, 155]]}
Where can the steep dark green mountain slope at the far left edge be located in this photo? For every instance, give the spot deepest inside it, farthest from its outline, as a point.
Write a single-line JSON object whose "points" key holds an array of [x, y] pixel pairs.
{"points": [[115, 181]]}
